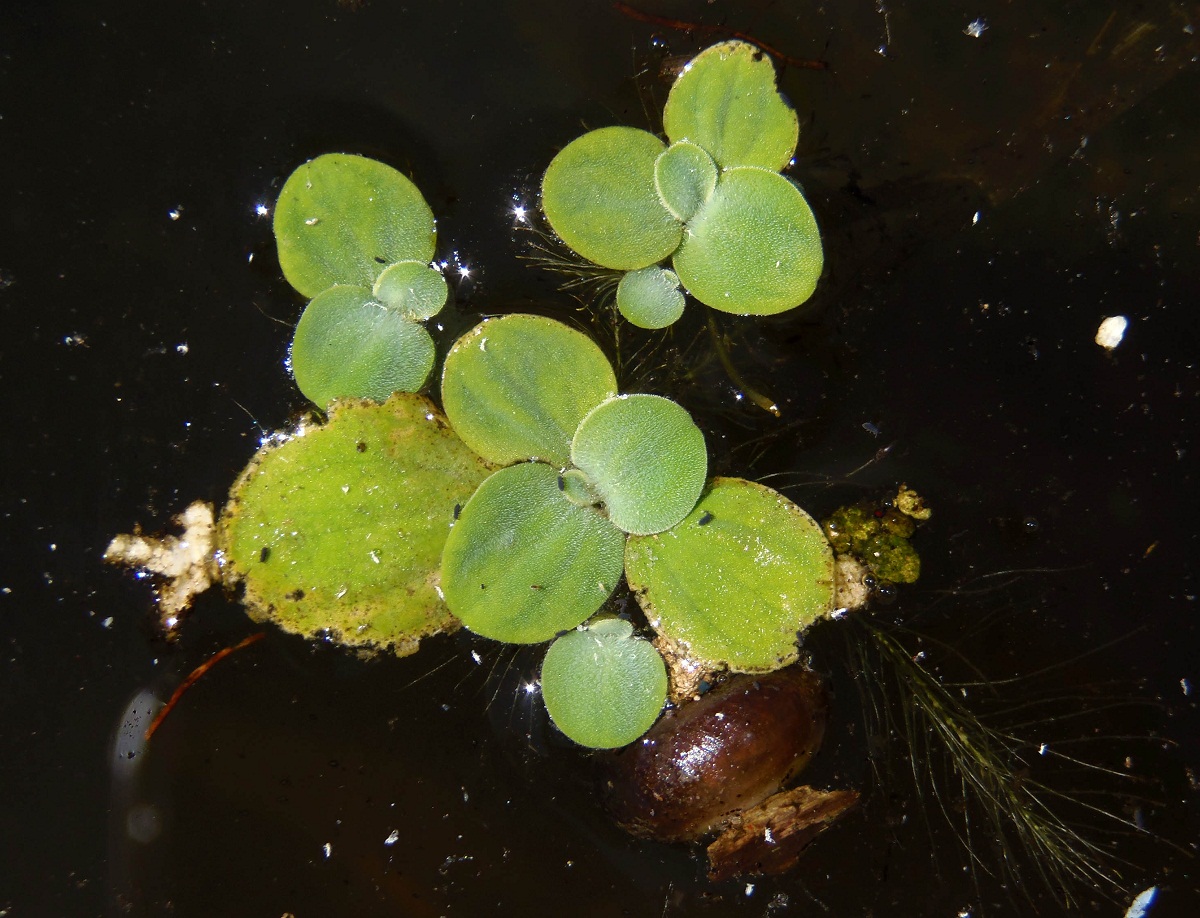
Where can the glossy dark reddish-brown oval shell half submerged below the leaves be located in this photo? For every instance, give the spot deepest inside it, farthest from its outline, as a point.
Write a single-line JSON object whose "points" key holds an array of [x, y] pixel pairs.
{"points": [[718, 757]]}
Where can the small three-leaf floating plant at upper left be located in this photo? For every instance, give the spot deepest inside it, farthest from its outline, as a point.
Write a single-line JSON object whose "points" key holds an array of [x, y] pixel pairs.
{"points": [[357, 238]]}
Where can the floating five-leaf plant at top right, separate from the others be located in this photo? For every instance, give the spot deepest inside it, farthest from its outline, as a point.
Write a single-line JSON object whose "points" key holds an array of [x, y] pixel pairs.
{"points": [[740, 236]]}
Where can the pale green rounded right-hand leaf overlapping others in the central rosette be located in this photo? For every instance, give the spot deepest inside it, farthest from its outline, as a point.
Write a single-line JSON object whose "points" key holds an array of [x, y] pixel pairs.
{"points": [[646, 458]]}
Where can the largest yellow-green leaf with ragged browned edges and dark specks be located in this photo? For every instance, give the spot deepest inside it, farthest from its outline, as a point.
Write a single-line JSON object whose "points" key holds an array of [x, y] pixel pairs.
{"points": [[339, 530]]}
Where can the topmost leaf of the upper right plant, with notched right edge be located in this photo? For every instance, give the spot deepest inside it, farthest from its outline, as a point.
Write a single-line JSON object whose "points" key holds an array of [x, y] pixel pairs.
{"points": [[727, 103]]}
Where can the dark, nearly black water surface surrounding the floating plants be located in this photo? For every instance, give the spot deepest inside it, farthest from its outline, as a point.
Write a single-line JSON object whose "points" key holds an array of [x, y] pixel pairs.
{"points": [[986, 202]]}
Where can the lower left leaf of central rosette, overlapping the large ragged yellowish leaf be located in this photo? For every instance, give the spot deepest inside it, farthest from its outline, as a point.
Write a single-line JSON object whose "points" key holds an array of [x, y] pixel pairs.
{"points": [[524, 563]]}
